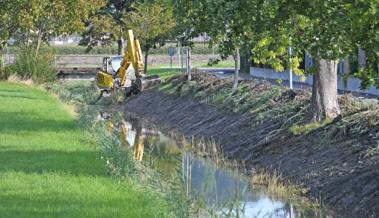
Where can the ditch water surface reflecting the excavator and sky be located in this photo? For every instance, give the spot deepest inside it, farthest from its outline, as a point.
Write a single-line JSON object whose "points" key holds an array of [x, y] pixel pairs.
{"points": [[223, 189]]}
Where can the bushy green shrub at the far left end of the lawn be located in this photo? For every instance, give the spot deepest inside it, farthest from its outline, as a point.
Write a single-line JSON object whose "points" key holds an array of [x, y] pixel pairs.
{"points": [[29, 66]]}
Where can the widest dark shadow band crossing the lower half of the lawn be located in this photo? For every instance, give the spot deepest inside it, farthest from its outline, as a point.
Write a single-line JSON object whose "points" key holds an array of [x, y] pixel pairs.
{"points": [[83, 163]]}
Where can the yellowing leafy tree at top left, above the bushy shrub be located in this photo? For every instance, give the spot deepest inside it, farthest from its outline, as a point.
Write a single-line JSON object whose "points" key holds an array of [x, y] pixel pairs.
{"points": [[34, 21]]}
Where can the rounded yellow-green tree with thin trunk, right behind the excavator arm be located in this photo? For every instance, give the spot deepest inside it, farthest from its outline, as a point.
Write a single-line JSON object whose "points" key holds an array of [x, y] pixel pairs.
{"points": [[152, 22]]}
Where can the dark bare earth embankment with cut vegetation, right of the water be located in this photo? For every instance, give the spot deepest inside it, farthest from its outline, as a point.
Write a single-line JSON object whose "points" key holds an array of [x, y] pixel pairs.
{"points": [[265, 127]]}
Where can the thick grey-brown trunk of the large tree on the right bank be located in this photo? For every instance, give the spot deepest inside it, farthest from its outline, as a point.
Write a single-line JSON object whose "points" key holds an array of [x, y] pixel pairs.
{"points": [[324, 102]]}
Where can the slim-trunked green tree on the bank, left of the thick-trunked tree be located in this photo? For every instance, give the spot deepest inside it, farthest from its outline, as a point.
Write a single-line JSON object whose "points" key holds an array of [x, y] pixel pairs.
{"points": [[221, 20]]}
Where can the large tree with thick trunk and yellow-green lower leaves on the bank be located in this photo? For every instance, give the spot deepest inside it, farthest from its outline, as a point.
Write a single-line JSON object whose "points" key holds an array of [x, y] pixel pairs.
{"points": [[320, 28]]}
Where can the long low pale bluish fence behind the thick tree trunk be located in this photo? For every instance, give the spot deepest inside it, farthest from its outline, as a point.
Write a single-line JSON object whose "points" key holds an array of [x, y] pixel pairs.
{"points": [[352, 84]]}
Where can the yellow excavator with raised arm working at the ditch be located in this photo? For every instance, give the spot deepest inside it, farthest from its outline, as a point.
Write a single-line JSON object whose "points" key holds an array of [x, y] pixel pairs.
{"points": [[125, 72]]}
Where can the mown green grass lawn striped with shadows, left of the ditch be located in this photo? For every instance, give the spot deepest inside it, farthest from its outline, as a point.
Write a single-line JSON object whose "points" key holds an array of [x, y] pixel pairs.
{"points": [[50, 167]]}
